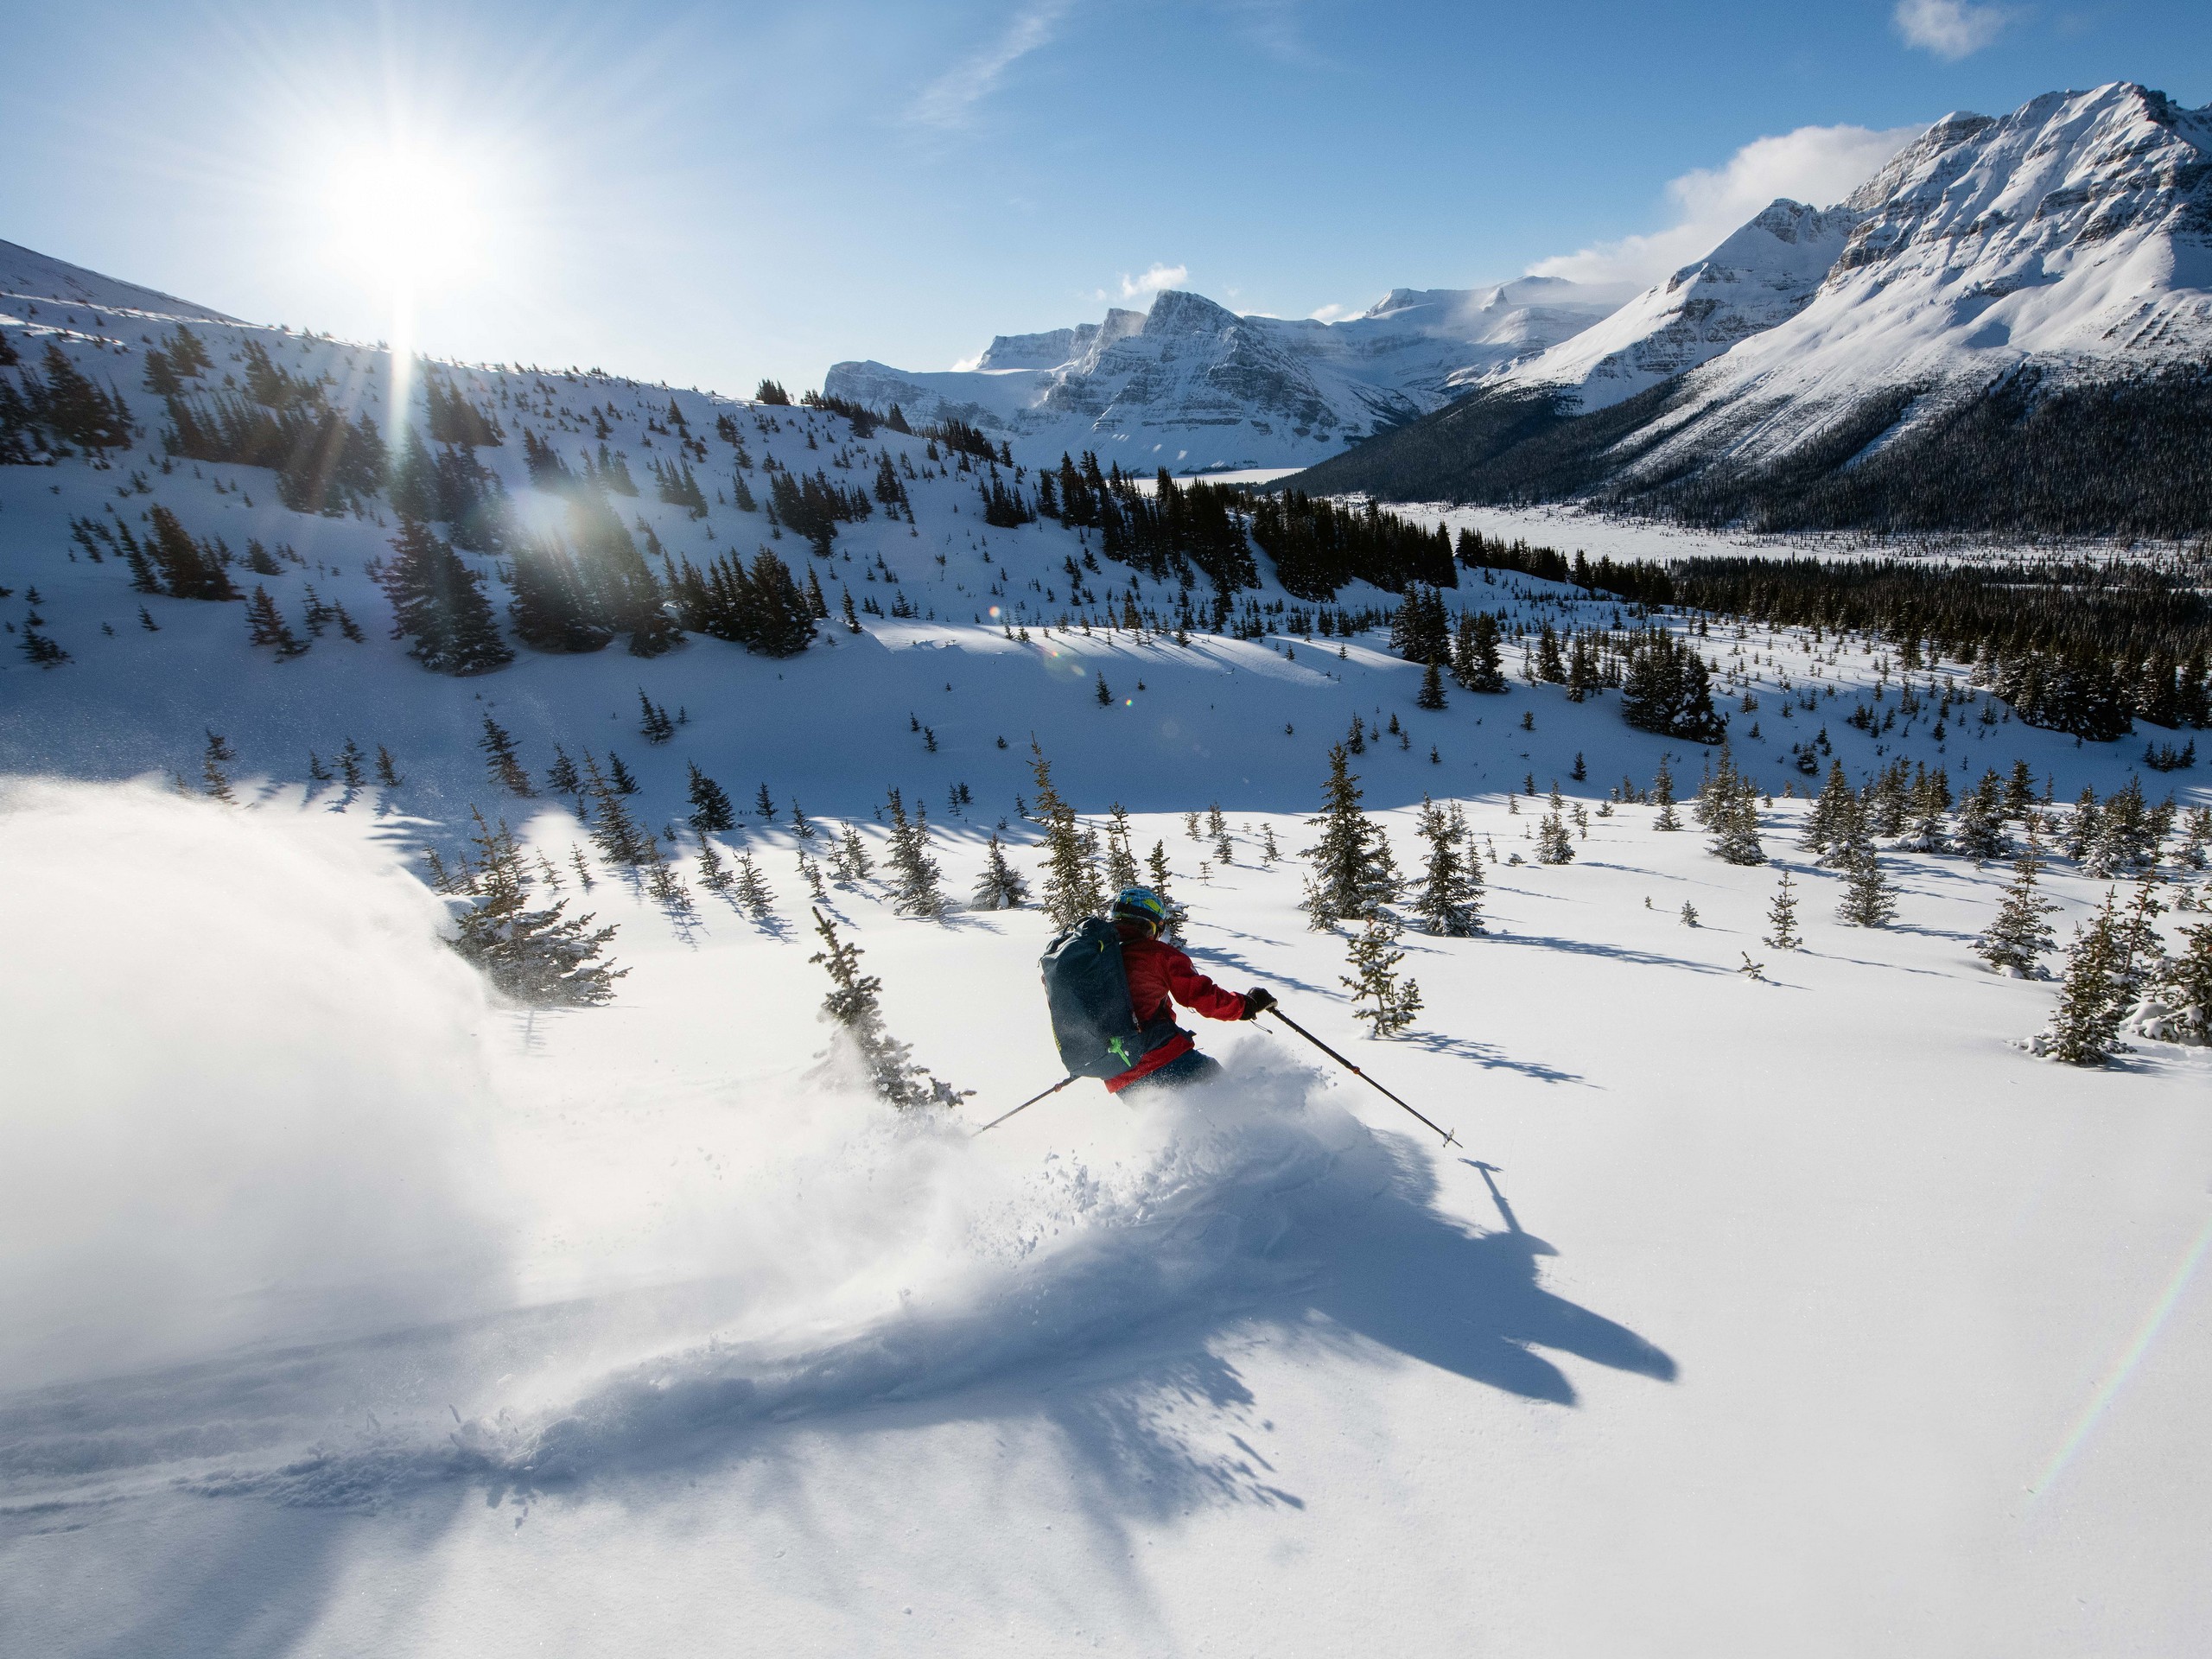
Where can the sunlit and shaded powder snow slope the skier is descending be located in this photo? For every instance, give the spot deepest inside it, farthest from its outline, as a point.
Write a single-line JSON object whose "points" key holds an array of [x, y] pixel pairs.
{"points": [[351, 1313]]}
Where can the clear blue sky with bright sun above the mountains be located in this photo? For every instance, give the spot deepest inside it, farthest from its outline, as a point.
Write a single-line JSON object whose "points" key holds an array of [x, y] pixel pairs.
{"points": [[718, 194]]}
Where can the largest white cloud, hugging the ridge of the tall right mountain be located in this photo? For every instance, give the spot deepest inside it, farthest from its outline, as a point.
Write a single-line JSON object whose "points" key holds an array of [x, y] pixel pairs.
{"points": [[1817, 165]]}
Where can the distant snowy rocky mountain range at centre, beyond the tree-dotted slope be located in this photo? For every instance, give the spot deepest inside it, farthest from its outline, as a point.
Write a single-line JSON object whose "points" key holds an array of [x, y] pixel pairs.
{"points": [[1198, 388]]}
